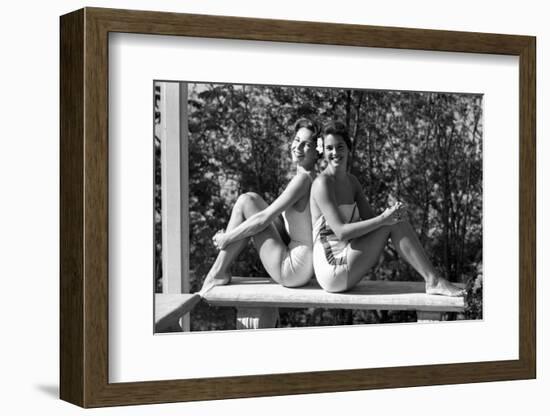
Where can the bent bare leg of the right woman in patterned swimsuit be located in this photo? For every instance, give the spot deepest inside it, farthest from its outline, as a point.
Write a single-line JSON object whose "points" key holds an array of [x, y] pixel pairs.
{"points": [[366, 250]]}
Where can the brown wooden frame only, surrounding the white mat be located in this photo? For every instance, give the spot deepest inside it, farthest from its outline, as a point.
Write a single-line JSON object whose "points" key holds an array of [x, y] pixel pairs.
{"points": [[84, 207]]}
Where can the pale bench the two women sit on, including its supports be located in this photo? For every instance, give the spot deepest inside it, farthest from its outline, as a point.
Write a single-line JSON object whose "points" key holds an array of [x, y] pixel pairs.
{"points": [[258, 300]]}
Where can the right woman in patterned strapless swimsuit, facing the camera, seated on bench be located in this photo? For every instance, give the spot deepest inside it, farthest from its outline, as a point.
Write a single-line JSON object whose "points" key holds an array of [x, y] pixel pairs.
{"points": [[348, 236]]}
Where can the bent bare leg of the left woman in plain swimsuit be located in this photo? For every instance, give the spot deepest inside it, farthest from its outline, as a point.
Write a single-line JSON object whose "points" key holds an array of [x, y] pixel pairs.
{"points": [[247, 205]]}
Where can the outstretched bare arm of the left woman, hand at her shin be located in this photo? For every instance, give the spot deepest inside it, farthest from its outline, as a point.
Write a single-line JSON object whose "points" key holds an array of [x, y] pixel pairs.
{"points": [[296, 189]]}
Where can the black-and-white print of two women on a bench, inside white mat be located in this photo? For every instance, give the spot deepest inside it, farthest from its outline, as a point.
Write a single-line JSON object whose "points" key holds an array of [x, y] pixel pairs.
{"points": [[292, 206]]}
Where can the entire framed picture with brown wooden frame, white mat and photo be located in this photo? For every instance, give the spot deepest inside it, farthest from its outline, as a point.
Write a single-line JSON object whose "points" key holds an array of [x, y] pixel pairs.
{"points": [[196, 154]]}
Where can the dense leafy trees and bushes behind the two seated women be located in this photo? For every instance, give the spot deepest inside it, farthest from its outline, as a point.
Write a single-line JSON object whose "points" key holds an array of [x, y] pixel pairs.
{"points": [[422, 148]]}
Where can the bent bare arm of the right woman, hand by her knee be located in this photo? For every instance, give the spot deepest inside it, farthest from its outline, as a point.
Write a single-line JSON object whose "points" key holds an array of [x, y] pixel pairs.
{"points": [[325, 197]]}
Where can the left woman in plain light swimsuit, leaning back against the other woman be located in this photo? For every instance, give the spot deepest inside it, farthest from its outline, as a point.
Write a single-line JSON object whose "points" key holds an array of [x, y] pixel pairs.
{"points": [[289, 264]]}
